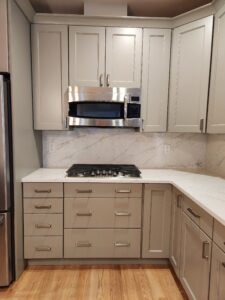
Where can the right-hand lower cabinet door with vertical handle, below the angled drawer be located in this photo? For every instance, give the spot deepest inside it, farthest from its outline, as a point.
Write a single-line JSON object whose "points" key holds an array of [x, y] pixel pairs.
{"points": [[195, 260]]}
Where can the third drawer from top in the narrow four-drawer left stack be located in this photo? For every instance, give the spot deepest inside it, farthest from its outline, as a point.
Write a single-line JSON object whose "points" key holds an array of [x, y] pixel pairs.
{"points": [[43, 224]]}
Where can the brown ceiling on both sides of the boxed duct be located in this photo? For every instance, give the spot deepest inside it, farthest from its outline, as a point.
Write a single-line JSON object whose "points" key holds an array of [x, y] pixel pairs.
{"points": [[144, 8]]}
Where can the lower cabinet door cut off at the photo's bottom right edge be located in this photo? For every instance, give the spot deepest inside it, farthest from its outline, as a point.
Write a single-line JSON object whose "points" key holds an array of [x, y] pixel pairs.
{"points": [[217, 282]]}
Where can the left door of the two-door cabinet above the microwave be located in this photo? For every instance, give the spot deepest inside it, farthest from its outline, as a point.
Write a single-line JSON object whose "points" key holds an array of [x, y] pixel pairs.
{"points": [[86, 55]]}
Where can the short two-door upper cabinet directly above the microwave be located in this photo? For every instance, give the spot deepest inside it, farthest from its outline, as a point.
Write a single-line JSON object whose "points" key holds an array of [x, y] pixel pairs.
{"points": [[114, 59]]}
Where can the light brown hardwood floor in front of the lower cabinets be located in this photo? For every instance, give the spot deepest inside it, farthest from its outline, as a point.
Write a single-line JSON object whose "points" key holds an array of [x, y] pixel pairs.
{"points": [[119, 282]]}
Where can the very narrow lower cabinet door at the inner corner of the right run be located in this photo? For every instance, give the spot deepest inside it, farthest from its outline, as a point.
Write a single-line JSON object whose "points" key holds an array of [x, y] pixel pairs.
{"points": [[175, 234]]}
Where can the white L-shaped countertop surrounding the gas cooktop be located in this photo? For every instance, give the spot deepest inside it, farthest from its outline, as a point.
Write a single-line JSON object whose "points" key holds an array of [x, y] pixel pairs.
{"points": [[207, 191]]}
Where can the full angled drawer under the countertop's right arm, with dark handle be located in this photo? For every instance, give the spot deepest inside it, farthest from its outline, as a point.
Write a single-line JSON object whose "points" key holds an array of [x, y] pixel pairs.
{"points": [[199, 216]]}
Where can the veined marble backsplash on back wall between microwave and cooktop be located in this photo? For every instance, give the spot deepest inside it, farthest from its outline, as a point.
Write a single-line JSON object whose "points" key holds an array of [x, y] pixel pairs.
{"points": [[146, 150]]}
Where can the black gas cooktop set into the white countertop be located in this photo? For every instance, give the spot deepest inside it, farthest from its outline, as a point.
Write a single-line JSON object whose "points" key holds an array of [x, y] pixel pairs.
{"points": [[102, 170]]}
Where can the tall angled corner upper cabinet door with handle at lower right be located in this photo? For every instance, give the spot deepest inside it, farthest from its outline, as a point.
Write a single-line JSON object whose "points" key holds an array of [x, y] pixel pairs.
{"points": [[190, 67]]}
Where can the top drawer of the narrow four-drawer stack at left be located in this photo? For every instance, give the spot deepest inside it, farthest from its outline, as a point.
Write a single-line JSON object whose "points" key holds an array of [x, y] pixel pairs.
{"points": [[43, 190]]}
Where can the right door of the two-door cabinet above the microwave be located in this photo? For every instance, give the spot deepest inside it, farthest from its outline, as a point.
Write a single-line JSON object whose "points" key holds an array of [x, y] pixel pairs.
{"points": [[123, 57]]}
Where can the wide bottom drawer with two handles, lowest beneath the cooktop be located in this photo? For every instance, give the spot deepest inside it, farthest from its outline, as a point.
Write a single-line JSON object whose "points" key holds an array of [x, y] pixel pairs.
{"points": [[102, 243]]}
